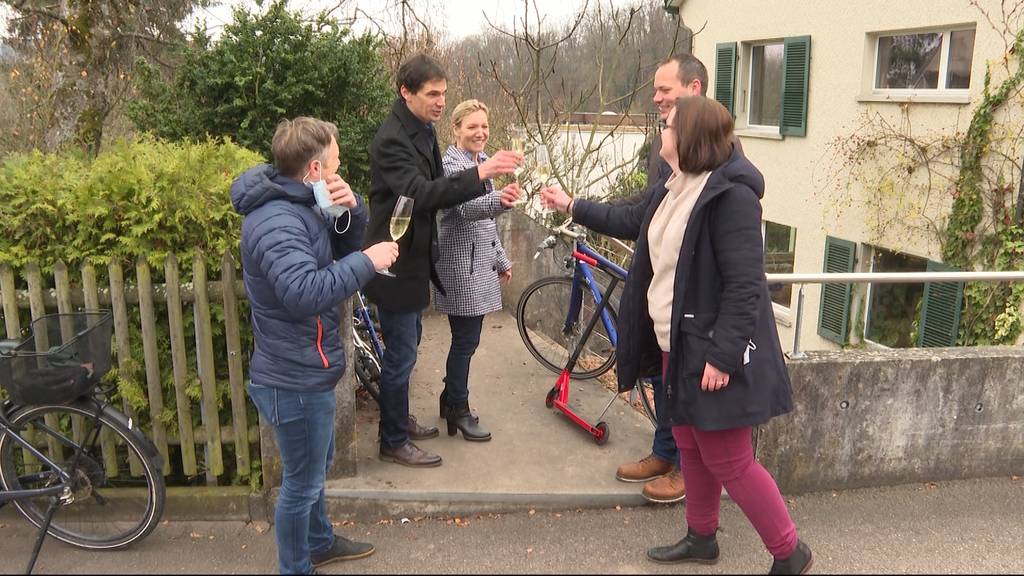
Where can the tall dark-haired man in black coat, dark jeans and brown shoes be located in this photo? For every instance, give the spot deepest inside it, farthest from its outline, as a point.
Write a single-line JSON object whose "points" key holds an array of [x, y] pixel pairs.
{"points": [[405, 160]]}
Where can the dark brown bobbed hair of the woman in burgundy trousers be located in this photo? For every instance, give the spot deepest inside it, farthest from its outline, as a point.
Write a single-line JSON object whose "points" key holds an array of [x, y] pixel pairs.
{"points": [[704, 134]]}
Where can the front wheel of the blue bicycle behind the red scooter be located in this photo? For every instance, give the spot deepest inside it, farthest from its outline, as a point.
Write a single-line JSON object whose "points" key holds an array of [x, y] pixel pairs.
{"points": [[541, 316]]}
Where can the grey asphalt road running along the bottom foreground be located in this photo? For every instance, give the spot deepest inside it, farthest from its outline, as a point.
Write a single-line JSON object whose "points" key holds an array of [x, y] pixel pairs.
{"points": [[964, 527]]}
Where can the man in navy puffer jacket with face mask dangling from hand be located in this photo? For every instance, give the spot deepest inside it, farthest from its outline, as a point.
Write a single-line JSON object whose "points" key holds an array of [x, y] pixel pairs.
{"points": [[295, 284]]}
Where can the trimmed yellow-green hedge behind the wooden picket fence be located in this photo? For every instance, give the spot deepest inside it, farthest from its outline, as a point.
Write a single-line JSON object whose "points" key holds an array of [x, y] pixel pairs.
{"points": [[139, 199]]}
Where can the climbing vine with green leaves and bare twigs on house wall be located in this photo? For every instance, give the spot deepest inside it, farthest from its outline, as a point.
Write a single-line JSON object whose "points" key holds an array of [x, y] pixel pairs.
{"points": [[963, 189]]}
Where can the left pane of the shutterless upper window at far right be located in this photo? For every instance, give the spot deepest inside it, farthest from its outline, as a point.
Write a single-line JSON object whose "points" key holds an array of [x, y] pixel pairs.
{"points": [[911, 61]]}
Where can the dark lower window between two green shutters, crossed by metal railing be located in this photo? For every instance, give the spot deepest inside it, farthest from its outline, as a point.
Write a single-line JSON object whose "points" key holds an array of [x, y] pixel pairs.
{"points": [[893, 309]]}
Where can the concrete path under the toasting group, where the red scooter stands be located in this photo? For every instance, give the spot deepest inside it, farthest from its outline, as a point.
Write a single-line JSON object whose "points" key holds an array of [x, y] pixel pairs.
{"points": [[538, 457]]}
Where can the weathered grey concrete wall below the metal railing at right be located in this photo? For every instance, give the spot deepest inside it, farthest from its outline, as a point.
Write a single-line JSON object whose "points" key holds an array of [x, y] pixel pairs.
{"points": [[880, 419]]}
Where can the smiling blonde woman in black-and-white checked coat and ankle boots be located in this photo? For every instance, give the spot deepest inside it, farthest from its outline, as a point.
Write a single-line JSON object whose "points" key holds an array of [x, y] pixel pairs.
{"points": [[473, 265]]}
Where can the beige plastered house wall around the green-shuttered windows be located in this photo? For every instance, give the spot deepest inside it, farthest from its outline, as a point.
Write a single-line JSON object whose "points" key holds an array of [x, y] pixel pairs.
{"points": [[797, 170]]}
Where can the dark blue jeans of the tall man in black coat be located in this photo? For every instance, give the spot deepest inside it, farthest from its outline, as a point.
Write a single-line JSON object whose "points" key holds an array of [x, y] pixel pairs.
{"points": [[402, 333]]}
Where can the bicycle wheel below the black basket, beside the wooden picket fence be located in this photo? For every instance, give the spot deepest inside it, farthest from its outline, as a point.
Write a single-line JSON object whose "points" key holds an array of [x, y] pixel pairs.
{"points": [[118, 489]]}
